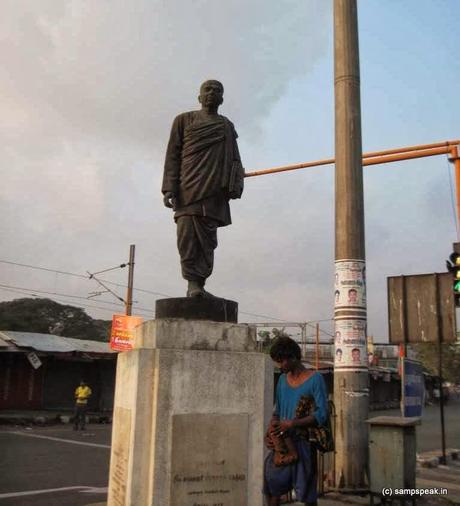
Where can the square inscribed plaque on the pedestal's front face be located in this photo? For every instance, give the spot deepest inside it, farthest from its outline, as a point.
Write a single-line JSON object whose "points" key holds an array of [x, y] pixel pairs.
{"points": [[209, 461]]}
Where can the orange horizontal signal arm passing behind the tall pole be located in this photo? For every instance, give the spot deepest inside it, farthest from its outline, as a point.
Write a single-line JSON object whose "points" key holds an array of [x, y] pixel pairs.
{"points": [[372, 158]]}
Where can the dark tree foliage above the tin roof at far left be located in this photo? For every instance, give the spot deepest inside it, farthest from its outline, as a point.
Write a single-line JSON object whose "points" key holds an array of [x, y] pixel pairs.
{"points": [[48, 317]]}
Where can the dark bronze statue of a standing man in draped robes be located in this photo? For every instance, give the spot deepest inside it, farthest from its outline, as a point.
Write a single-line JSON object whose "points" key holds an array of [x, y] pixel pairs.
{"points": [[202, 173]]}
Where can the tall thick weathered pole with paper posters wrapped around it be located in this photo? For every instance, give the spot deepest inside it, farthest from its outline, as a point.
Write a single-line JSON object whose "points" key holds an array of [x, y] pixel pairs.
{"points": [[351, 389]]}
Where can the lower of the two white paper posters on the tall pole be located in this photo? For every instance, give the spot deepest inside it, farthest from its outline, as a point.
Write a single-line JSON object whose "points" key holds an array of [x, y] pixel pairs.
{"points": [[350, 344]]}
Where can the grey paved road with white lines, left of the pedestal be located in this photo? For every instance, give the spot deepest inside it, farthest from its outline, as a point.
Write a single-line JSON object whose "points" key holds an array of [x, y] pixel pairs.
{"points": [[72, 466]]}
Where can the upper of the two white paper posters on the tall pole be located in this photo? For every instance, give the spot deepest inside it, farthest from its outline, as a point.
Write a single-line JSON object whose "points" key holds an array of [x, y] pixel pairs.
{"points": [[350, 284]]}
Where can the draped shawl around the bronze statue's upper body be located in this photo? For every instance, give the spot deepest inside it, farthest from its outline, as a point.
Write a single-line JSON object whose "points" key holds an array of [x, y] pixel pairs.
{"points": [[199, 157]]}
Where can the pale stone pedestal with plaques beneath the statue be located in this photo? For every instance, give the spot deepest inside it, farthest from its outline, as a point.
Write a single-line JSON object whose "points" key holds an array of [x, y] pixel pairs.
{"points": [[192, 402]]}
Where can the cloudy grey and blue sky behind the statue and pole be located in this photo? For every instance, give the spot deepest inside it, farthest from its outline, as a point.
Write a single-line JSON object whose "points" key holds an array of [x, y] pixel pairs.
{"points": [[88, 91]]}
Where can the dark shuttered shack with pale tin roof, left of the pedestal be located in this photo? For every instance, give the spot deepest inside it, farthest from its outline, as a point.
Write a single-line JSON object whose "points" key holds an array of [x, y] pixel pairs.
{"points": [[41, 371]]}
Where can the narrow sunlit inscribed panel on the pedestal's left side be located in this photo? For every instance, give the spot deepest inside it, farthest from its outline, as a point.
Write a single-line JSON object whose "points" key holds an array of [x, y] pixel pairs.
{"points": [[120, 457]]}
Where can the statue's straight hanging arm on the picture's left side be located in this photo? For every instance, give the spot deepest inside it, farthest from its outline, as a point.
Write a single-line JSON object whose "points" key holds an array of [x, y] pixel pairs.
{"points": [[171, 175]]}
